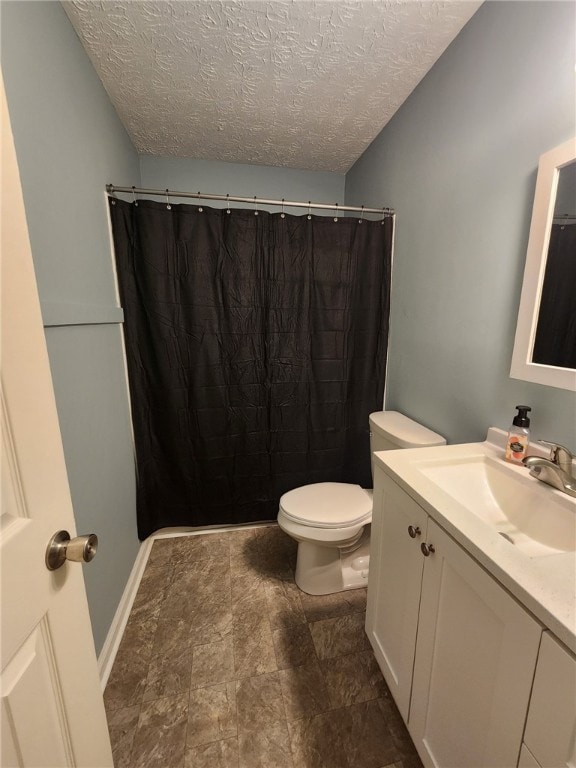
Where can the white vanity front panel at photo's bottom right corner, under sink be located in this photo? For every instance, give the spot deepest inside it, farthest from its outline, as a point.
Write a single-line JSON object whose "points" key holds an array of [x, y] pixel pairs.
{"points": [[551, 729]]}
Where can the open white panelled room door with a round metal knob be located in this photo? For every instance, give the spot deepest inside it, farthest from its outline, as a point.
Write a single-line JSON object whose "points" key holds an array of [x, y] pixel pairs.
{"points": [[52, 708]]}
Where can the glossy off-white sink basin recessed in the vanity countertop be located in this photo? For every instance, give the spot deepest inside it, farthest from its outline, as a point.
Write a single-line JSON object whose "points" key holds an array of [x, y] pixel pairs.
{"points": [[527, 513]]}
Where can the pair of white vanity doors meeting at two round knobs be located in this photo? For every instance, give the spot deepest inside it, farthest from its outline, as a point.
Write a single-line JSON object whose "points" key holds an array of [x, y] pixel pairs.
{"points": [[457, 651]]}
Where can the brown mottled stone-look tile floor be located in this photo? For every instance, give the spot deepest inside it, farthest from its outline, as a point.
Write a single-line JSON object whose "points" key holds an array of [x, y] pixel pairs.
{"points": [[226, 664]]}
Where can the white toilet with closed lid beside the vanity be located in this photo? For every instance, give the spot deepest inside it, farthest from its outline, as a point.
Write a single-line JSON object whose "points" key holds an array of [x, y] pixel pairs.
{"points": [[331, 521]]}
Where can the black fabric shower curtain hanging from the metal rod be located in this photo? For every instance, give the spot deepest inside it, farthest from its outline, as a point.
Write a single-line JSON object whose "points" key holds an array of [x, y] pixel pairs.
{"points": [[256, 349]]}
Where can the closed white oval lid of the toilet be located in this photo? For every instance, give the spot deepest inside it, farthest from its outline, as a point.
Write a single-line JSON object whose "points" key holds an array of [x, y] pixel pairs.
{"points": [[327, 505]]}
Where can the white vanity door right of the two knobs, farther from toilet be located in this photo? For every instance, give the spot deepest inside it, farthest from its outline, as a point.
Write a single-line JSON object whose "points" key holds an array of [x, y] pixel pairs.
{"points": [[475, 659]]}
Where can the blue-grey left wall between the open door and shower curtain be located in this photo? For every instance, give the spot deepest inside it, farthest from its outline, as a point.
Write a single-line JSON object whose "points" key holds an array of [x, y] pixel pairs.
{"points": [[69, 143]]}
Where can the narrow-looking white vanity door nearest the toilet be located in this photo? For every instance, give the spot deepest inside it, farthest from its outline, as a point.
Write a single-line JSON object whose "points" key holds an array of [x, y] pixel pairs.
{"points": [[396, 566]]}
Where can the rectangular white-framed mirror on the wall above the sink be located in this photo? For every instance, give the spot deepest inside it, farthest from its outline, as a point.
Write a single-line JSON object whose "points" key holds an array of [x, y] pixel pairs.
{"points": [[545, 342]]}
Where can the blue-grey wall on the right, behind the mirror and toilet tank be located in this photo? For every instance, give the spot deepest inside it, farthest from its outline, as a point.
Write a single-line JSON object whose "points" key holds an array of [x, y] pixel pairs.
{"points": [[458, 163]]}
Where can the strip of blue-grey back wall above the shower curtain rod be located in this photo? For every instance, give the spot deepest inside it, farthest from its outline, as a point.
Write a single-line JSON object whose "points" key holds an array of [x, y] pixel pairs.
{"points": [[187, 175]]}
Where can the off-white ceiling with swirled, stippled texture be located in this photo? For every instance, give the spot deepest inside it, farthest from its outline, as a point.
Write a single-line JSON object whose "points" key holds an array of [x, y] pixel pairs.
{"points": [[295, 83]]}
